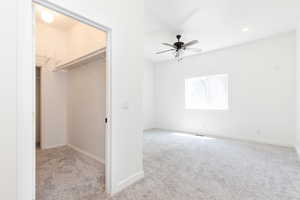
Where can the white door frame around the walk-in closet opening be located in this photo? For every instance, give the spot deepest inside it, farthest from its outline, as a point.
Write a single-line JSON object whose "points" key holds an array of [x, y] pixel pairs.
{"points": [[26, 164]]}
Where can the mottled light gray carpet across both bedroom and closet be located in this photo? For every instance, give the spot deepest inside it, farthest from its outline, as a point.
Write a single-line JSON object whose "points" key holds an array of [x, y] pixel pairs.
{"points": [[179, 167]]}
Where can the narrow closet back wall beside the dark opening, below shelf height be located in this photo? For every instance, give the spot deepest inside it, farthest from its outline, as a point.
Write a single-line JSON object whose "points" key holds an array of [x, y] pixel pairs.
{"points": [[53, 108]]}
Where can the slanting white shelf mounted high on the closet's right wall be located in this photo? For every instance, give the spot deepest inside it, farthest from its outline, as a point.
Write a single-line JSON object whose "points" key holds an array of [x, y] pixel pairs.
{"points": [[81, 60]]}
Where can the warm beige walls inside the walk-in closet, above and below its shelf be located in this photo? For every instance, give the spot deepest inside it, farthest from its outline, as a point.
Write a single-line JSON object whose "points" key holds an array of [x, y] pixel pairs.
{"points": [[72, 100]]}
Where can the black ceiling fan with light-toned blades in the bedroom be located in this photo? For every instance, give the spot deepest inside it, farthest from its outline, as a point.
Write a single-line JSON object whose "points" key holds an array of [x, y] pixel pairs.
{"points": [[179, 47]]}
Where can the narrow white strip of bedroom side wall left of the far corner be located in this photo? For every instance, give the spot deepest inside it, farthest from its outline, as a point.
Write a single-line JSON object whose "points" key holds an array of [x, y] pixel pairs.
{"points": [[148, 96]]}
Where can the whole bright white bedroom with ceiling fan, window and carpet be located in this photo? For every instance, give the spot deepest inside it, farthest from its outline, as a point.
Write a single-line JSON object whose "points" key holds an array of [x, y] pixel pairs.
{"points": [[221, 100]]}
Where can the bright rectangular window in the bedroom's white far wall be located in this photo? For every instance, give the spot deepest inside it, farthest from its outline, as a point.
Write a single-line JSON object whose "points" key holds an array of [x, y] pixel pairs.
{"points": [[209, 92]]}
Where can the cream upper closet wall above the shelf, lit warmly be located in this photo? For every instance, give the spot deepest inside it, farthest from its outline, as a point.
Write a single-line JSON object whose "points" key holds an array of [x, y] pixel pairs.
{"points": [[59, 45]]}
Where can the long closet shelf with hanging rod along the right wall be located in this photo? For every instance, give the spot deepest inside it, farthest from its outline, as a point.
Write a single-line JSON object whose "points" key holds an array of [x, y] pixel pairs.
{"points": [[81, 59]]}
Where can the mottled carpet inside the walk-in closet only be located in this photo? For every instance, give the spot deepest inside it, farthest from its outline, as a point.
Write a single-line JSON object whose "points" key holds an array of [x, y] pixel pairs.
{"points": [[65, 174]]}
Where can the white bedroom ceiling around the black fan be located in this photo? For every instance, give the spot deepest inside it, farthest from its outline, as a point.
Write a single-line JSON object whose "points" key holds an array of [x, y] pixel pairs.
{"points": [[215, 23]]}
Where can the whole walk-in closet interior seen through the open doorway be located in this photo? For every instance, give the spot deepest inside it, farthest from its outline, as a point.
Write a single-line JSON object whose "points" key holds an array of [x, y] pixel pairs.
{"points": [[70, 107]]}
